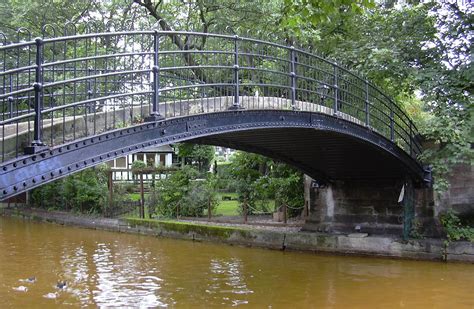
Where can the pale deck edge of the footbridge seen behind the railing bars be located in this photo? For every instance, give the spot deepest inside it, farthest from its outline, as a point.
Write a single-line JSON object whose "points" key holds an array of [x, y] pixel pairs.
{"points": [[60, 130]]}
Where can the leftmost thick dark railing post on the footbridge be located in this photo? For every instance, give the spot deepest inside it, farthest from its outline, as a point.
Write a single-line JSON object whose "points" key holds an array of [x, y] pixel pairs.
{"points": [[37, 145]]}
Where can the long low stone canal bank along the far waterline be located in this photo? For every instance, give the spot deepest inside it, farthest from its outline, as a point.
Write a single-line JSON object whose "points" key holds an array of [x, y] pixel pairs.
{"points": [[264, 237]]}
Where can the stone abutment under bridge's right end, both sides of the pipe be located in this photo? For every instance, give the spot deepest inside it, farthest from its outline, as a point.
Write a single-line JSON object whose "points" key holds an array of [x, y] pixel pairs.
{"points": [[367, 207]]}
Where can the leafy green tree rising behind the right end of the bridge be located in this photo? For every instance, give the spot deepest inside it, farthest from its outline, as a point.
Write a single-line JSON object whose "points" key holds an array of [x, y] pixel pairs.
{"points": [[419, 54]]}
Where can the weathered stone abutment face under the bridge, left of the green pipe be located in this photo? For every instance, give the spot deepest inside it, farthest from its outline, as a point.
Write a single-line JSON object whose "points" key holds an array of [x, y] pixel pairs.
{"points": [[340, 207]]}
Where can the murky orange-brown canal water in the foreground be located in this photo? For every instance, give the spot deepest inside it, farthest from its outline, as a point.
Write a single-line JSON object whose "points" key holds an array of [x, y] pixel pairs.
{"points": [[112, 269]]}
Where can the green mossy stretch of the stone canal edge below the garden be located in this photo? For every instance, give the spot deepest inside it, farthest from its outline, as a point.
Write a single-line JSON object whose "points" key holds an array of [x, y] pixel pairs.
{"points": [[222, 232]]}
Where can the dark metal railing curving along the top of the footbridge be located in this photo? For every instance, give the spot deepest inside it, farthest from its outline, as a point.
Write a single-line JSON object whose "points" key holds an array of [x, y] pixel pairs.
{"points": [[54, 90]]}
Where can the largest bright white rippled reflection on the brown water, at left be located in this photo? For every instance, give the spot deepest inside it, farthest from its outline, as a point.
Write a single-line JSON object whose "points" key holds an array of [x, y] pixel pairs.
{"points": [[114, 274]]}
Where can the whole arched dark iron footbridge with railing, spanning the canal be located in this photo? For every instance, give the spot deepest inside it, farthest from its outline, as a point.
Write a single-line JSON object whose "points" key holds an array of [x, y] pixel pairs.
{"points": [[72, 101]]}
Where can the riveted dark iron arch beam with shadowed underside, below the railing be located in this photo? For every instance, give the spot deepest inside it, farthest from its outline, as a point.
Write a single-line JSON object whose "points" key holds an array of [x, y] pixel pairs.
{"points": [[325, 147]]}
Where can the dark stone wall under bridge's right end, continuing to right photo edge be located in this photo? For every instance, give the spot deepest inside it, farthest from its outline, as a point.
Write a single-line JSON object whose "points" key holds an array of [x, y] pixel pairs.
{"points": [[374, 208]]}
